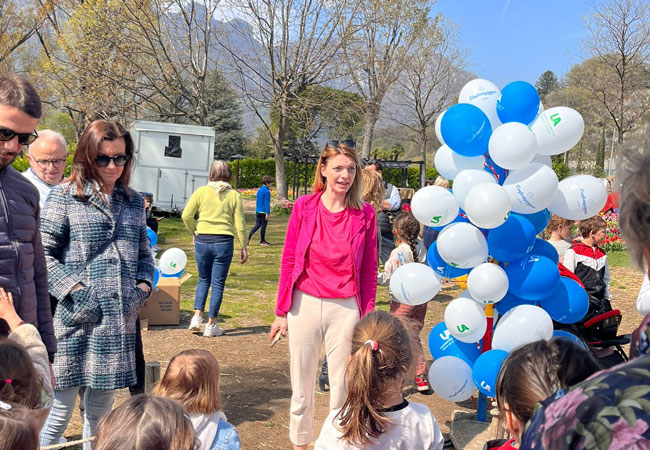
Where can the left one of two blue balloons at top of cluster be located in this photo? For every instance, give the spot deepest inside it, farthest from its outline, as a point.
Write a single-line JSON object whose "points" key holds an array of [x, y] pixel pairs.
{"points": [[466, 130]]}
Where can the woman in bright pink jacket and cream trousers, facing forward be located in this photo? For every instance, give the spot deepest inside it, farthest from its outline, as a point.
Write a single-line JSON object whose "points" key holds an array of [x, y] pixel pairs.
{"points": [[328, 280]]}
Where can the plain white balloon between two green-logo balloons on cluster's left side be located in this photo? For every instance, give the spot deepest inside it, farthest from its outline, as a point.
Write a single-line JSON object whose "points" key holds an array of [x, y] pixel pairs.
{"points": [[462, 245]]}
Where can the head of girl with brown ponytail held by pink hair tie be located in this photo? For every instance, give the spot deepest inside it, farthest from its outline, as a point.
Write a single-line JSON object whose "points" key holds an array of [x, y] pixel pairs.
{"points": [[382, 356]]}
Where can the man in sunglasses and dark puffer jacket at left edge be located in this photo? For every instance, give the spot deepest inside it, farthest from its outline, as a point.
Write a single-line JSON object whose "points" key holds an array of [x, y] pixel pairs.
{"points": [[22, 261]]}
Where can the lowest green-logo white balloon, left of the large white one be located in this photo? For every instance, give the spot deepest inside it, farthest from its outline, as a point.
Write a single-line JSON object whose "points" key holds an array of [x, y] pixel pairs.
{"points": [[465, 320]]}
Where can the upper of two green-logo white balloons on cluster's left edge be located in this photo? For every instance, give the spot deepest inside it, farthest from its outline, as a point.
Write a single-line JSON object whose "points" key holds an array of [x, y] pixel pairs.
{"points": [[434, 206]]}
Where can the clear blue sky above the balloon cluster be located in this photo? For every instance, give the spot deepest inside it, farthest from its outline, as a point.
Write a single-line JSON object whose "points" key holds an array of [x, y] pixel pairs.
{"points": [[510, 40]]}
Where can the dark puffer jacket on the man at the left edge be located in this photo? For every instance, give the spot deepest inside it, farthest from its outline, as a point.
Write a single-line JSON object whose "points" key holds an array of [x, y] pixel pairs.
{"points": [[22, 261]]}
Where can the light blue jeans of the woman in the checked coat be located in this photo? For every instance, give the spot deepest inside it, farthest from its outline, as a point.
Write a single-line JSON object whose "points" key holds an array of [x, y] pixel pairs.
{"points": [[96, 404]]}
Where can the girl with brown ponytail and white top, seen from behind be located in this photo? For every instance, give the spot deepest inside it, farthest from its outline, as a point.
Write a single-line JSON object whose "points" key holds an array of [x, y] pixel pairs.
{"points": [[375, 415]]}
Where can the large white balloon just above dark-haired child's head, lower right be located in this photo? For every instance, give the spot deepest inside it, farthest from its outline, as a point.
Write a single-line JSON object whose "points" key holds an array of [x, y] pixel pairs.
{"points": [[522, 325]]}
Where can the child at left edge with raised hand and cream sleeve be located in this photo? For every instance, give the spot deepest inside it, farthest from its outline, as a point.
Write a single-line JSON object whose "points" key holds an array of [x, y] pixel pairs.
{"points": [[25, 376]]}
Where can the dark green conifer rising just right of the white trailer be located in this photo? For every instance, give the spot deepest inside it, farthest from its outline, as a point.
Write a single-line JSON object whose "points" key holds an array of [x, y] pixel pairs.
{"points": [[224, 115]]}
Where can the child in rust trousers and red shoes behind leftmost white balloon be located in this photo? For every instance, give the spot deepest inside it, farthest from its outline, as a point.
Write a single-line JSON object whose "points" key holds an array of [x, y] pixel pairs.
{"points": [[407, 229]]}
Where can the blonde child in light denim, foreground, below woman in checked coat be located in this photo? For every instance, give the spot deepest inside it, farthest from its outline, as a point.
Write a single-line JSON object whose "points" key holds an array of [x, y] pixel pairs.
{"points": [[192, 378]]}
